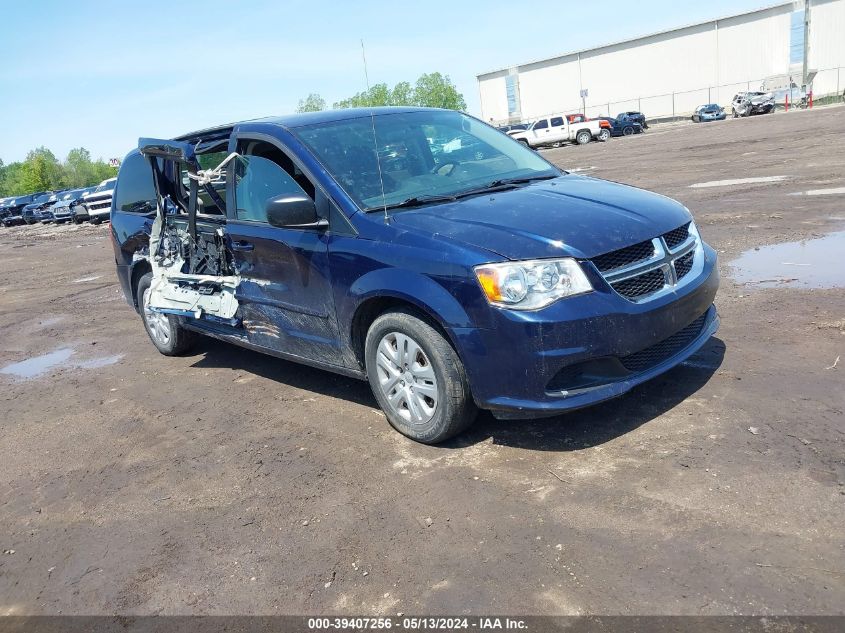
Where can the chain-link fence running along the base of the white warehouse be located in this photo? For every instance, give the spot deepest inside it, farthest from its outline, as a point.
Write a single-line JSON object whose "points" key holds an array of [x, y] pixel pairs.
{"points": [[827, 83]]}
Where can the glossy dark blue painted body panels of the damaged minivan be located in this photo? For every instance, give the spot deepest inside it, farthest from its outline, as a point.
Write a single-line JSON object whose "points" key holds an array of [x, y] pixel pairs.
{"points": [[425, 257]]}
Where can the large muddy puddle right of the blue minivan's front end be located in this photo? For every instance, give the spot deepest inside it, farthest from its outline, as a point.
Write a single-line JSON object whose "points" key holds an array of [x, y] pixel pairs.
{"points": [[816, 263]]}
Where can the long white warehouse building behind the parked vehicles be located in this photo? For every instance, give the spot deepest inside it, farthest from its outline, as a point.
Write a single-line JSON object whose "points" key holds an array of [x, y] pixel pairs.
{"points": [[671, 73]]}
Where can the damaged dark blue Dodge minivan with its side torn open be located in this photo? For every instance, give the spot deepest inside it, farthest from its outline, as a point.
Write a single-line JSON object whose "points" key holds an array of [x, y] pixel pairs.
{"points": [[419, 249]]}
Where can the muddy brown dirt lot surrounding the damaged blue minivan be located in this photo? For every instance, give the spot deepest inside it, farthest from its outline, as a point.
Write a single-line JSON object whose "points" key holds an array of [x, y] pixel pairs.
{"points": [[231, 482]]}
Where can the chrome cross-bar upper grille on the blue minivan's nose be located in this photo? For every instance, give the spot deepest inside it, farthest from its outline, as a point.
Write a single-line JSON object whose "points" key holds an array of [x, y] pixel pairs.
{"points": [[638, 272]]}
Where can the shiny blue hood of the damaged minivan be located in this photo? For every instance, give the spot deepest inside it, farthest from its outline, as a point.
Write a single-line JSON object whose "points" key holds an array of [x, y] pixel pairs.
{"points": [[571, 215]]}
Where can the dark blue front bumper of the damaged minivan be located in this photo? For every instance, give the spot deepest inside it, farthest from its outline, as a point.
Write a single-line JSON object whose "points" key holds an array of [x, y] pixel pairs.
{"points": [[586, 349]]}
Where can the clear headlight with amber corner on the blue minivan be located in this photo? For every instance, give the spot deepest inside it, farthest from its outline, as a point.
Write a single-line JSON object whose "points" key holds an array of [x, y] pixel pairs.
{"points": [[533, 284]]}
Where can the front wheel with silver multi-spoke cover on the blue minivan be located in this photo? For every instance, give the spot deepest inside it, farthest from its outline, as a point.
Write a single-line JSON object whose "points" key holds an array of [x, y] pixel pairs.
{"points": [[445, 407]]}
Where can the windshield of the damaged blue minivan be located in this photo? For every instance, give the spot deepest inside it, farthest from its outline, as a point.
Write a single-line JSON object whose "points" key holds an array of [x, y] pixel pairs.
{"points": [[418, 155]]}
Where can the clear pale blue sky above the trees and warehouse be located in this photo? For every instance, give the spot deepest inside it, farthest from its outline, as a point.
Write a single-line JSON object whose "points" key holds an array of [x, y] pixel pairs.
{"points": [[101, 74]]}
